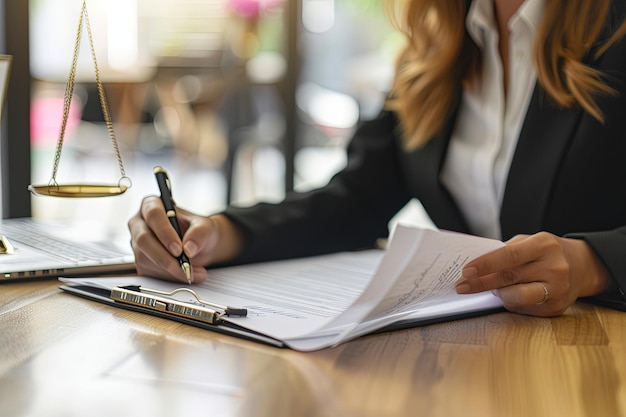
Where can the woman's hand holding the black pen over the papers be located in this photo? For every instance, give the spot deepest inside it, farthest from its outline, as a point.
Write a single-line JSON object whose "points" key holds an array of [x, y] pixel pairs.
{"points": [[206, 240]]}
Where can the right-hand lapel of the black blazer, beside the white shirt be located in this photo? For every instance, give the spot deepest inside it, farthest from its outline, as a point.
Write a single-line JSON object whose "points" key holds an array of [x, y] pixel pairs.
{"points": [[546, 132]]}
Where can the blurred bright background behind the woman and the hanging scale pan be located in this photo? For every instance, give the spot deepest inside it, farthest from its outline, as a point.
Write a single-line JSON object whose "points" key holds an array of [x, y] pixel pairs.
{"points": [[240, 100]]}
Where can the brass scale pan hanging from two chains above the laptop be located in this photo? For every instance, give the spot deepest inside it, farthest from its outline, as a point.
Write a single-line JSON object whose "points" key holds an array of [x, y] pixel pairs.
{"points": [[79, 190]]}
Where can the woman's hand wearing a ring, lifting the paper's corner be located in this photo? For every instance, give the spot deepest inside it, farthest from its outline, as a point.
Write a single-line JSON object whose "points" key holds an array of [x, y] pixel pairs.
{"points": [[539, 275]]}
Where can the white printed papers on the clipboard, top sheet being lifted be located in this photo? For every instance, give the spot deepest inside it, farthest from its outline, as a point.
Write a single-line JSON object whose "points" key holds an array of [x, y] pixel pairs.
{"points": [[317, 302]]}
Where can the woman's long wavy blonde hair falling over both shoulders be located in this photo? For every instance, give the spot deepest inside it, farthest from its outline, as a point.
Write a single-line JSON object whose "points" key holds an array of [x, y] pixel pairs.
{"points": [[439, 57]]}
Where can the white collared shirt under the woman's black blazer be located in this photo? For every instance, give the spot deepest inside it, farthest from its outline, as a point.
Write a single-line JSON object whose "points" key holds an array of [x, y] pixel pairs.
{"points": [[488, 124]]}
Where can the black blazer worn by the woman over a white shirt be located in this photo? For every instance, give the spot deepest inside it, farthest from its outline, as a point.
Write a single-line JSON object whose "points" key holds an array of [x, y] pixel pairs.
{"points": [[567, 177]]}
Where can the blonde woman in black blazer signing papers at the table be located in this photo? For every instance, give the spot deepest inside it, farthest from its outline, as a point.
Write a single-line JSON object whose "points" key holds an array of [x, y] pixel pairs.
{"points": [[506, 120]]}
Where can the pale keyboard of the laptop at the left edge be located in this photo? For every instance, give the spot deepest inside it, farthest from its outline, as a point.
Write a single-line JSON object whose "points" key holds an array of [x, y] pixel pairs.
{"points": [[28, 234]]}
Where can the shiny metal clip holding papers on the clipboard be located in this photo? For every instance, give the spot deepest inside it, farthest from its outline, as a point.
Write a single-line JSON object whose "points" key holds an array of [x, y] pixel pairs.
{"points": [[161, 301]]}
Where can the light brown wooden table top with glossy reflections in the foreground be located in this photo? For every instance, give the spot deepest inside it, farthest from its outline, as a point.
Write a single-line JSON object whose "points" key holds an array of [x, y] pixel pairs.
{"points": [[61, 355]]}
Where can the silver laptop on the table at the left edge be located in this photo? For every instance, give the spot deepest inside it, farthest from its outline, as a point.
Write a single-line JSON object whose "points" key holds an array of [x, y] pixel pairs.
{"points": [[36, 249]]}
